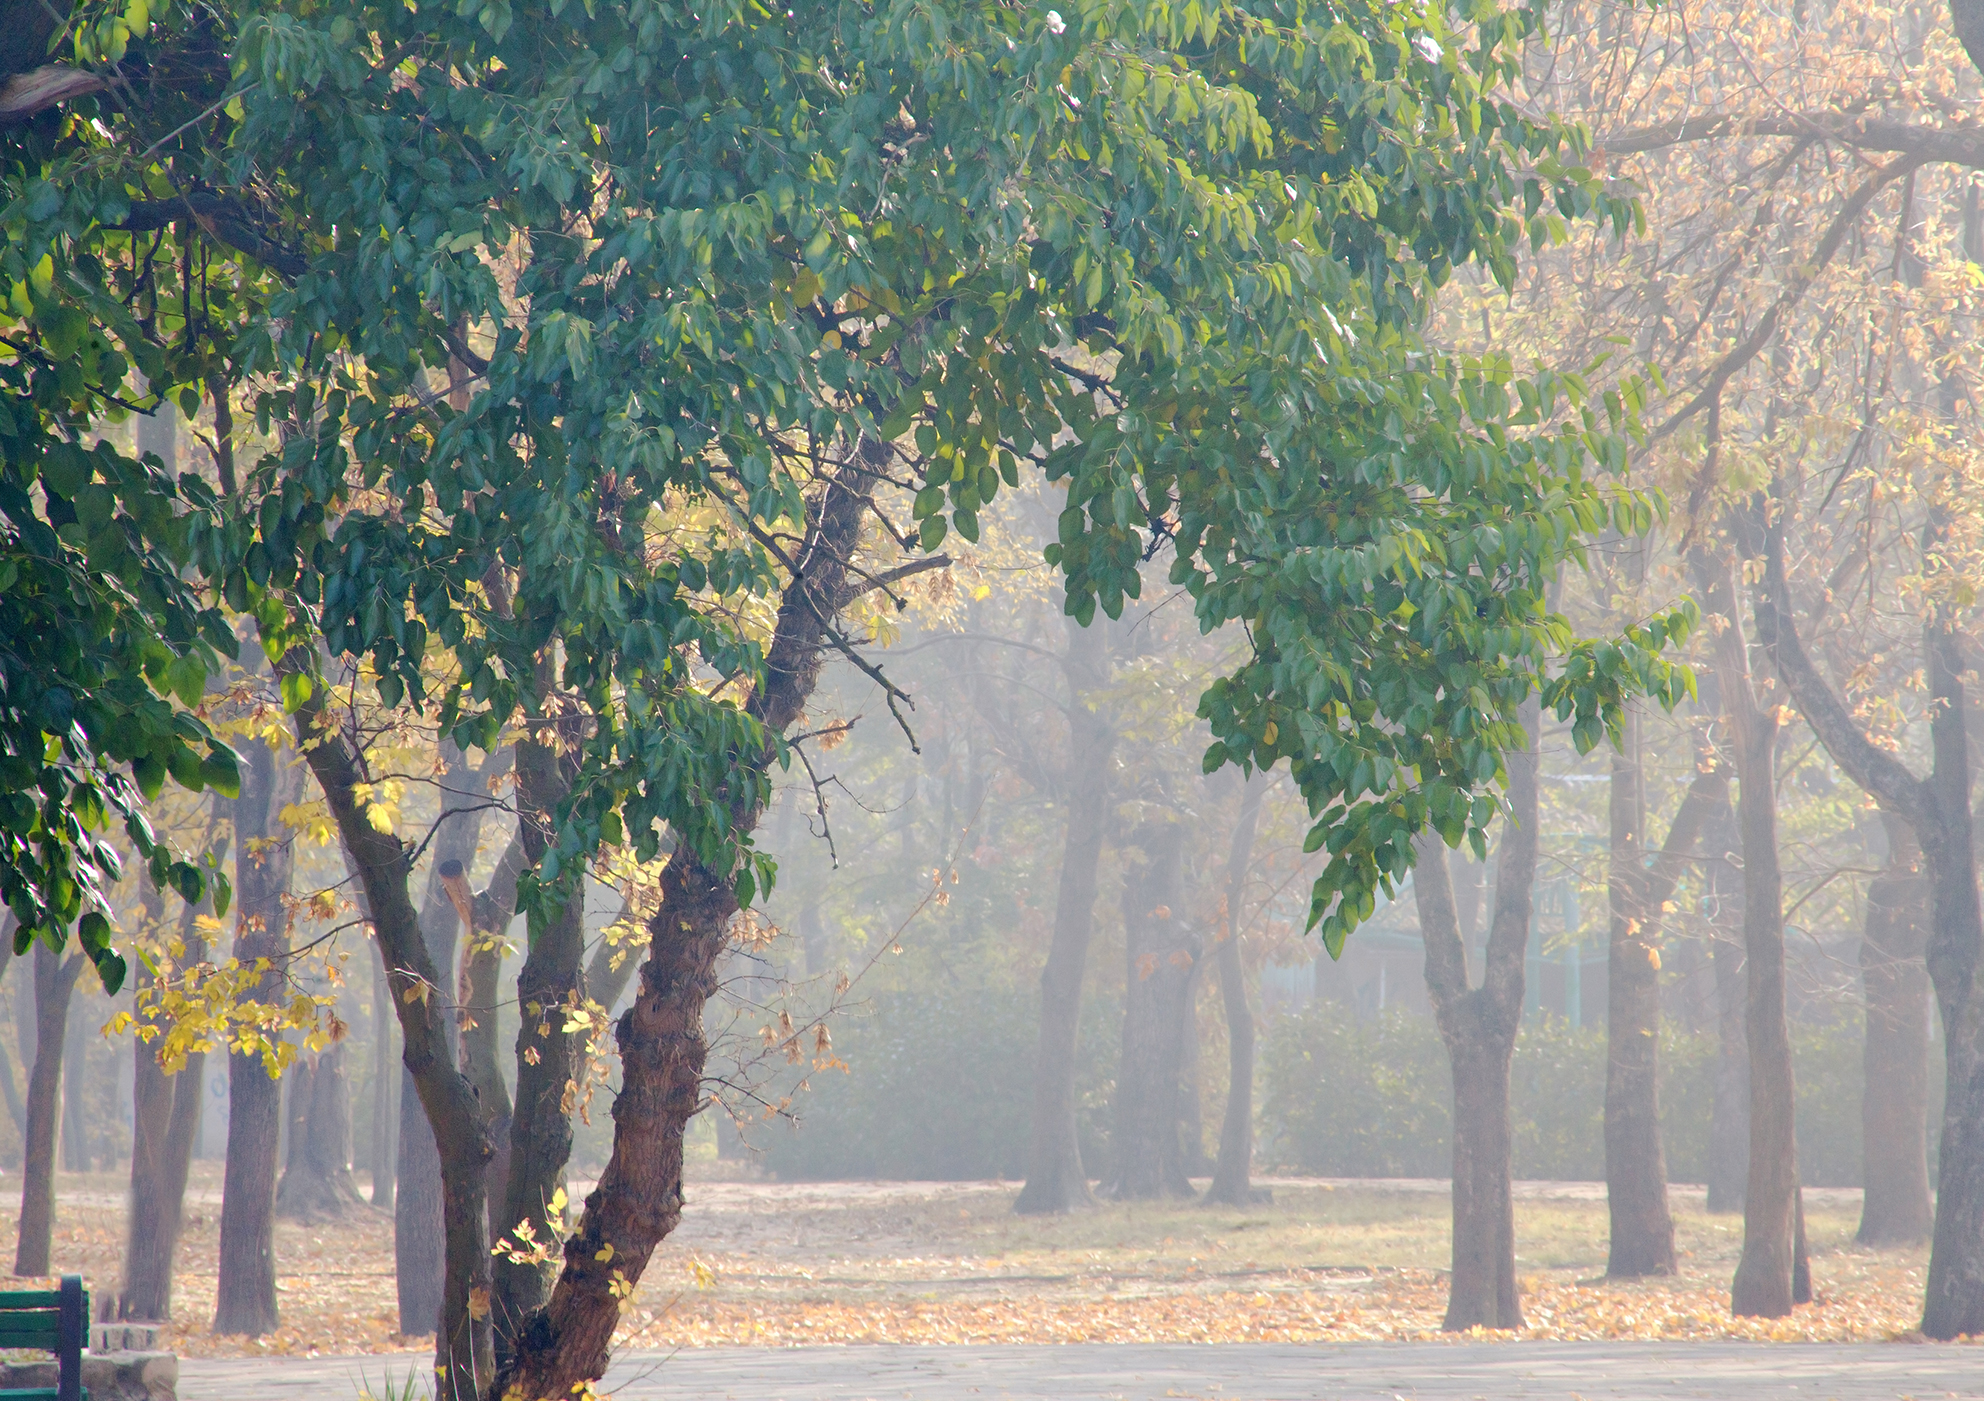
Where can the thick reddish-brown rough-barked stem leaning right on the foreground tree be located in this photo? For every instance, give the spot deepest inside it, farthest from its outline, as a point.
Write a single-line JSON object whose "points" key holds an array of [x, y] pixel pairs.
{"points": [[640, 1196]]}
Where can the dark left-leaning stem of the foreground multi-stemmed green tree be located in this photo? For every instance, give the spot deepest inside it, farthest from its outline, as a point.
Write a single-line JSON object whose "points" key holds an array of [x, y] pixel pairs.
{"points": [[428, 1019]]}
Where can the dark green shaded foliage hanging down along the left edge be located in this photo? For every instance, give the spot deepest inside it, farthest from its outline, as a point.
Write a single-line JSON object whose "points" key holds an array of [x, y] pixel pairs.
{"points": [[110, 646]]}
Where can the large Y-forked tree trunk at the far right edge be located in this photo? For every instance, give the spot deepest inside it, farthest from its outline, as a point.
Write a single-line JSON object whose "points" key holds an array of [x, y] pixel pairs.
{"points": [[1937, 811]]}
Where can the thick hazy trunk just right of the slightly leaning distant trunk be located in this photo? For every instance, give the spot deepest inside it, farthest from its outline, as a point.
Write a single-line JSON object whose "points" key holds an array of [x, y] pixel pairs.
{"points": [[1162, 973]]}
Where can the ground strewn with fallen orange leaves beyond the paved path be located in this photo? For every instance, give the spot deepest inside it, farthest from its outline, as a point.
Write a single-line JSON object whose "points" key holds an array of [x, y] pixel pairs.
{"points": [[949, 1263]]}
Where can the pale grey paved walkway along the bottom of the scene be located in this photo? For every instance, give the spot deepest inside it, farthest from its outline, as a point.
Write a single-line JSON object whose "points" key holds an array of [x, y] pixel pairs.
{"points": [[1215, 1372]]}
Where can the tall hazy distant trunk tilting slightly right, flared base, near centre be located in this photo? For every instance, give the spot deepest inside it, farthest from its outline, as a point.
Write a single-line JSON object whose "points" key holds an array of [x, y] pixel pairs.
{"points": [[1054, 1176]]}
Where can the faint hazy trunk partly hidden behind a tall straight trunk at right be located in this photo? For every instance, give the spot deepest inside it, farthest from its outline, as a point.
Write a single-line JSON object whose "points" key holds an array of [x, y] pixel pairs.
{"points": [[1729, 1126]]}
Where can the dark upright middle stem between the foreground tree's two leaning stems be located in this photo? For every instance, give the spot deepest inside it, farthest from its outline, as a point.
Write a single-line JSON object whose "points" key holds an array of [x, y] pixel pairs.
{"points": [[547, 1055]]}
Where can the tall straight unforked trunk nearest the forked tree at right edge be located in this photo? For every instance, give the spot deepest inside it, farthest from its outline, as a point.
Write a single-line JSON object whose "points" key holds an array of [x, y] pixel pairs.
{"points": [[1765, 1281]]}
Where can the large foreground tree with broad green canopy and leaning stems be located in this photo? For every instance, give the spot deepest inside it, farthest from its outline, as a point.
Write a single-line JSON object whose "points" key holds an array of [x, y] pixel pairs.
{"points": [[767, 346]]}
